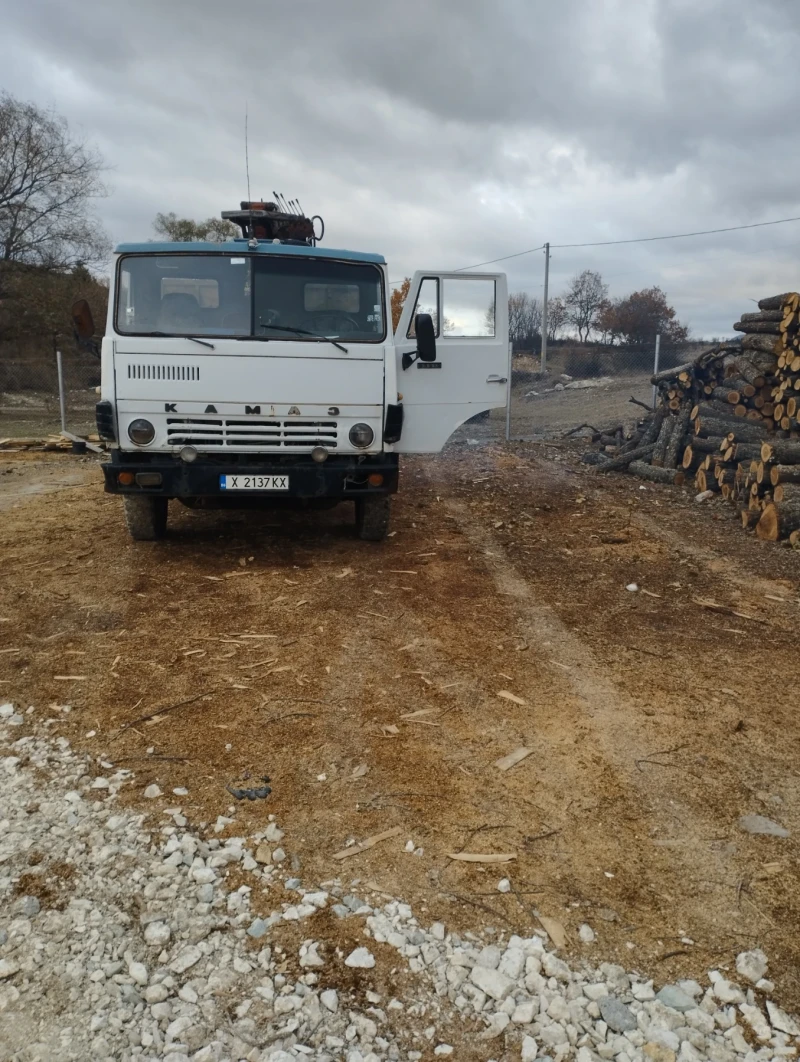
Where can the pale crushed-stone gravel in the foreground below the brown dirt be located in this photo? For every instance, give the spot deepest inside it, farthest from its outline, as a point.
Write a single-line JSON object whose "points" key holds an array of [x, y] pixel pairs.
{"points": [[126, 944]]}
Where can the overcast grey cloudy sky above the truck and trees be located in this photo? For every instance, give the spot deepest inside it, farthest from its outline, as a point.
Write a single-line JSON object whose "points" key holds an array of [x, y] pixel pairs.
{"points": [[446, 133]]}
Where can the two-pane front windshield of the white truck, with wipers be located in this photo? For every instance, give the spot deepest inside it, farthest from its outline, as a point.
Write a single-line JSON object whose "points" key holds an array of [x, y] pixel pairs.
{"points": [[263, 297]]}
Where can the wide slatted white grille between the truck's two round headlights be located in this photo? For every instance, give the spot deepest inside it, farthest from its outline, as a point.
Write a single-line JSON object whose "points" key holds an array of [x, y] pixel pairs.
{"points": [[249, 433]]}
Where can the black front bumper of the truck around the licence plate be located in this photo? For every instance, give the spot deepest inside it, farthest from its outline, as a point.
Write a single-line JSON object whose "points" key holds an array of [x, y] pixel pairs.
{"points": [[339, 477]]}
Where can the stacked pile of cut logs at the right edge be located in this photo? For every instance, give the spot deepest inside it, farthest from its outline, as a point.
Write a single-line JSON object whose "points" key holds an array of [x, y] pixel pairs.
{"points": [[729, 422]]}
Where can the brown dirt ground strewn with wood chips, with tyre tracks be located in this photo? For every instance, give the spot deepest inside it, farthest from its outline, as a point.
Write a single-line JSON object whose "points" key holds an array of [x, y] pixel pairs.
{"points": [[314, 647]]}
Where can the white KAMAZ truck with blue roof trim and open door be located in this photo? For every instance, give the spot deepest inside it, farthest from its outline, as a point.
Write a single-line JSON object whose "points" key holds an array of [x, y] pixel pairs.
{"points": [[265, 370]]}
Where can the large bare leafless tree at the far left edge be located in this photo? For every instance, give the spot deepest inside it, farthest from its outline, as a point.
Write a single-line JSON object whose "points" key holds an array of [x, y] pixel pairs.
{"points": [[48, 181]]}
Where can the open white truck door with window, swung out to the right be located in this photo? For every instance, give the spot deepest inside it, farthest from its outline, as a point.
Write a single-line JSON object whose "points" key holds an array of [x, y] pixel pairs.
{"points": [[470, 374]]}
